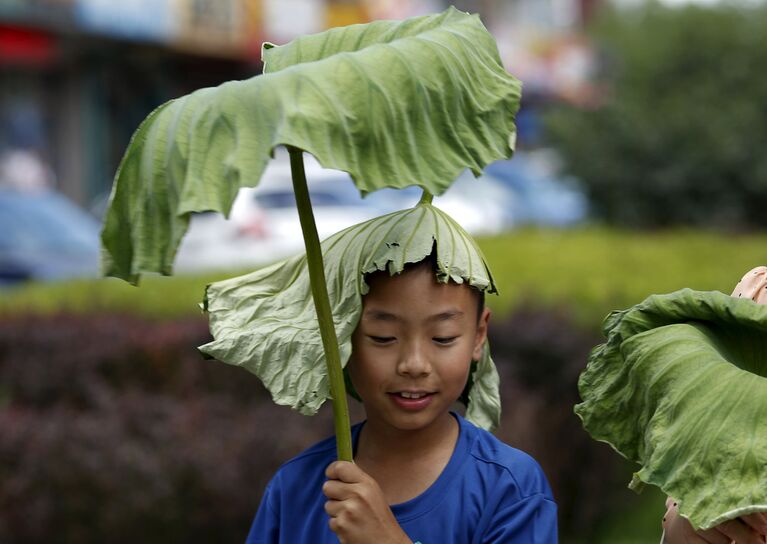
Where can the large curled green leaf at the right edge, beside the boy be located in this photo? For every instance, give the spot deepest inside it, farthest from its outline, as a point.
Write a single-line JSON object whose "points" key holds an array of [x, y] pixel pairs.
{"points": [[680, 387]]}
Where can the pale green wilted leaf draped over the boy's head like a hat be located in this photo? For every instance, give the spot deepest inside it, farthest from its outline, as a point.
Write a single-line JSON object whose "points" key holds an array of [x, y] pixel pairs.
{"points": [[265, 321]]}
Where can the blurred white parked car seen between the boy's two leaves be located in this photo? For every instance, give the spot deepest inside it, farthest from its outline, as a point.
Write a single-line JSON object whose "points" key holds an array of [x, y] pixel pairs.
{"points": [[263, 224]]}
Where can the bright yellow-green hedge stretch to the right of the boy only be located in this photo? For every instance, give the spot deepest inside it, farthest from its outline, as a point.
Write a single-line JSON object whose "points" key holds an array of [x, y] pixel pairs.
{"points": [[593, 271]]}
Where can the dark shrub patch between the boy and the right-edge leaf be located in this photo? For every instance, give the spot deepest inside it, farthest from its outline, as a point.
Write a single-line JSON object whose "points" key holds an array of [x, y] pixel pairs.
{"points": [[540, 356]]}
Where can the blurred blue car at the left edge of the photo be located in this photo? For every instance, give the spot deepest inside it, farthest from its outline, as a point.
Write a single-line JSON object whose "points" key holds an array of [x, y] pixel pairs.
{"points": [[45, 237]]}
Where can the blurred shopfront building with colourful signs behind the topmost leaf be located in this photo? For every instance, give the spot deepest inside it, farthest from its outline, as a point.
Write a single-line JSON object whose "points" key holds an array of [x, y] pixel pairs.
{"points": [[78, 76]]}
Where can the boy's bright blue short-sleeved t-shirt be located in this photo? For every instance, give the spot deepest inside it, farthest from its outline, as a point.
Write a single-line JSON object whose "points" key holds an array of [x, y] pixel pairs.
{"points": [[489, 492]]}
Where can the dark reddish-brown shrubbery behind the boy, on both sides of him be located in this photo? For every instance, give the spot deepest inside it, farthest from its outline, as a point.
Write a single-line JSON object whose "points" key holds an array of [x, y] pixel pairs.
{"points": [[114, 429]]}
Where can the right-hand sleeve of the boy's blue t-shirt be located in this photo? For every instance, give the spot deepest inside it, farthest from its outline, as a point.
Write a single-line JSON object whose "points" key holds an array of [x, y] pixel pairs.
{"points": [[532, 520]]}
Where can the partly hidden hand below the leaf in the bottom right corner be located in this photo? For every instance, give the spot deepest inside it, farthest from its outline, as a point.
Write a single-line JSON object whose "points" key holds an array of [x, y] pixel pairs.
{"points": [[748, 529]]}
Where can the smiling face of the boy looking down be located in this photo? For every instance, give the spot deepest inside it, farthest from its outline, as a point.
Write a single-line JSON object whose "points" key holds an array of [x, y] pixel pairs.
{"points": [[413, 347]]}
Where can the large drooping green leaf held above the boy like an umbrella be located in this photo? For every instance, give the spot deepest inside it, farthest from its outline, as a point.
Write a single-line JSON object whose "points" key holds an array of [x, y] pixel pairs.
{"points": [[392, 103]]}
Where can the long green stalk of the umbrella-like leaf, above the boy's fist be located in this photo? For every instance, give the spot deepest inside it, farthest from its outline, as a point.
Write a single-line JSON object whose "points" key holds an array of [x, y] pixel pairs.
{"points": [[322, 306]]}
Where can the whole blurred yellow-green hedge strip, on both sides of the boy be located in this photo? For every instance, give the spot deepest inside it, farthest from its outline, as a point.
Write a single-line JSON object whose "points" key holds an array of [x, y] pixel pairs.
{"points": [[588, 271]]}
